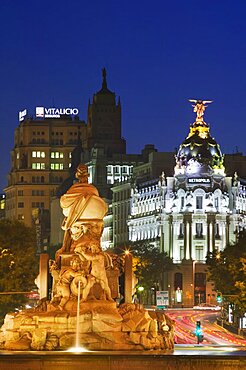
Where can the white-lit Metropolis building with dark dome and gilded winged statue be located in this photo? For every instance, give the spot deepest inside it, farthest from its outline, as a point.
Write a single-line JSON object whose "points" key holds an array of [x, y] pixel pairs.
{"points": [[195, 211]]}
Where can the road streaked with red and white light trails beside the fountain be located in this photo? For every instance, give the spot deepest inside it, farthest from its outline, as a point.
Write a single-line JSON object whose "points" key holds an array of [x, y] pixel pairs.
{"points": [[214, 334]]}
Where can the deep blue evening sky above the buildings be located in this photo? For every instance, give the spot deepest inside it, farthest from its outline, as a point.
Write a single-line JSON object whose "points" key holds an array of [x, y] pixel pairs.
{"points": [[157, 54]]}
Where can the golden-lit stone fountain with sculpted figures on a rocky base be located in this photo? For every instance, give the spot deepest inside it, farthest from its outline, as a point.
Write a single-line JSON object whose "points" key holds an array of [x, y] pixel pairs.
{"points": [[82, 272]]}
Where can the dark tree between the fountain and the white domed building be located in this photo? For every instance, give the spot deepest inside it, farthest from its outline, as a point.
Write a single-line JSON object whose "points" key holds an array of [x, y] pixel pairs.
{"points": [[150, 264]]}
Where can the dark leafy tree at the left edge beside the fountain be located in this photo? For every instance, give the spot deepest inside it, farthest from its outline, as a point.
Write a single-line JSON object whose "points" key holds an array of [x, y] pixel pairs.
{"points": [[18, 263]]}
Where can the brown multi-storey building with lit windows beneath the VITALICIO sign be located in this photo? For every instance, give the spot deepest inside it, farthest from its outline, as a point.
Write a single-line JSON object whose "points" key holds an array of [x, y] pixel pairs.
{"points": [[40, 161]]}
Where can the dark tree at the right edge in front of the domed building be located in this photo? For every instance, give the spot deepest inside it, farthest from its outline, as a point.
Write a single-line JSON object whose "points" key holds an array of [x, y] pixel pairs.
{"points": [[227, 269]]}
